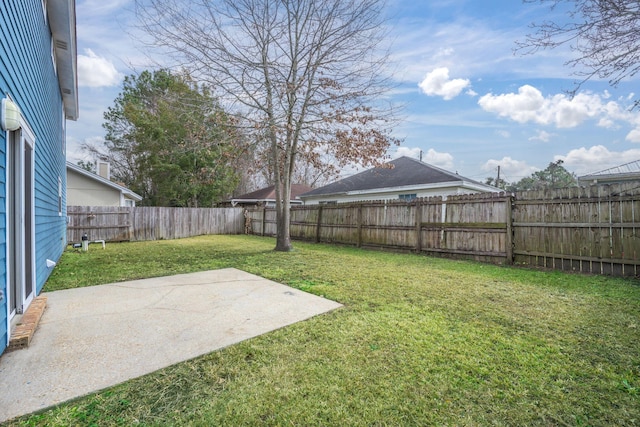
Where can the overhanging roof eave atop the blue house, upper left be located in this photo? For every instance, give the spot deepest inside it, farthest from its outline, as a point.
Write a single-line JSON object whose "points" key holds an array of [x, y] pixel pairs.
{"points": [[62, 20]]}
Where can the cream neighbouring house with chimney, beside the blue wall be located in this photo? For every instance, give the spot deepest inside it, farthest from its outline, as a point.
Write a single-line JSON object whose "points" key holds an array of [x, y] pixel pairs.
{"points": [[86, 188]]}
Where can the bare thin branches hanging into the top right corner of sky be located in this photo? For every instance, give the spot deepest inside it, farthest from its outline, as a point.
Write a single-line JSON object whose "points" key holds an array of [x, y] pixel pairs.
{"points": [[604, 34]]}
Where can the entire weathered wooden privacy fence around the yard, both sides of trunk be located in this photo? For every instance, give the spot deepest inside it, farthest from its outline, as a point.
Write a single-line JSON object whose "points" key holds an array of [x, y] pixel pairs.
{"points": [[587, 229]]}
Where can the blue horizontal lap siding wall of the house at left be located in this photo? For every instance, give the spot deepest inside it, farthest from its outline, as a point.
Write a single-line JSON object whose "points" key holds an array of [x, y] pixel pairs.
{"points": [[28, 76]]}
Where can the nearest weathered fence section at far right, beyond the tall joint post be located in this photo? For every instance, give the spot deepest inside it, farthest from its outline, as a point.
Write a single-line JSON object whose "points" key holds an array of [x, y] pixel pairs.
{"points": [[587, 229]]}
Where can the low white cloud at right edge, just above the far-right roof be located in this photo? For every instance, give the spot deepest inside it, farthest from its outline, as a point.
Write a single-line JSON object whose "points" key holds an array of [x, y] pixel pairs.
{"points": [[584, 161]]}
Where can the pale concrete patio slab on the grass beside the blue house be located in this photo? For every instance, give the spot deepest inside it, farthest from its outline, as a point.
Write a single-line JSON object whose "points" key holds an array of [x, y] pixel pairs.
{"points": [[95, 337]]}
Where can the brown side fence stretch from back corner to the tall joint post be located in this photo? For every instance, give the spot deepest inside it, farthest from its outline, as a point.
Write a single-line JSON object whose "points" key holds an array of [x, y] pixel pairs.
{"points": [[471, 225]]}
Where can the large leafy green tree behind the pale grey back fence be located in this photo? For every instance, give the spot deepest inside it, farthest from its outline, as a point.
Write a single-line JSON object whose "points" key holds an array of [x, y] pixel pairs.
{"points": [[168, 139]]}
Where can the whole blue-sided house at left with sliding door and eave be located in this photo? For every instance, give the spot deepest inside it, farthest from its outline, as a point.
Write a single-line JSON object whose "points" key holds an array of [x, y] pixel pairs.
{"points": [[38, 85]]}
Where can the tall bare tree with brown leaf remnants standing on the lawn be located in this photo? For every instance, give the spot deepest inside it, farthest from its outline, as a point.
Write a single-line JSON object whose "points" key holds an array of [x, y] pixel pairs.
{"points": [[307, 75]]}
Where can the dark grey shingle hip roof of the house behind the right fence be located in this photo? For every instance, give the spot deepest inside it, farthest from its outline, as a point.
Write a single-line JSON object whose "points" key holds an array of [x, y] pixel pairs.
{"points": [[406, 171]]}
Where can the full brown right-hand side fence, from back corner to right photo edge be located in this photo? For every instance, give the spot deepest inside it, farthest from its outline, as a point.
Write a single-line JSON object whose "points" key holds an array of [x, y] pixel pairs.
{"points": [[592, 229]]}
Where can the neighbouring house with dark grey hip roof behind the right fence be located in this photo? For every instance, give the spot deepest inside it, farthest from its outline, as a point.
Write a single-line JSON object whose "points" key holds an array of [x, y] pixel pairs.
{"points": [[407, 179]]}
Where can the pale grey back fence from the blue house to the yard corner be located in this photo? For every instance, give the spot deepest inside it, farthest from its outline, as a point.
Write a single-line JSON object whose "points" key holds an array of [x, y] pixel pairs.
{"points": [[114, 224]]}
